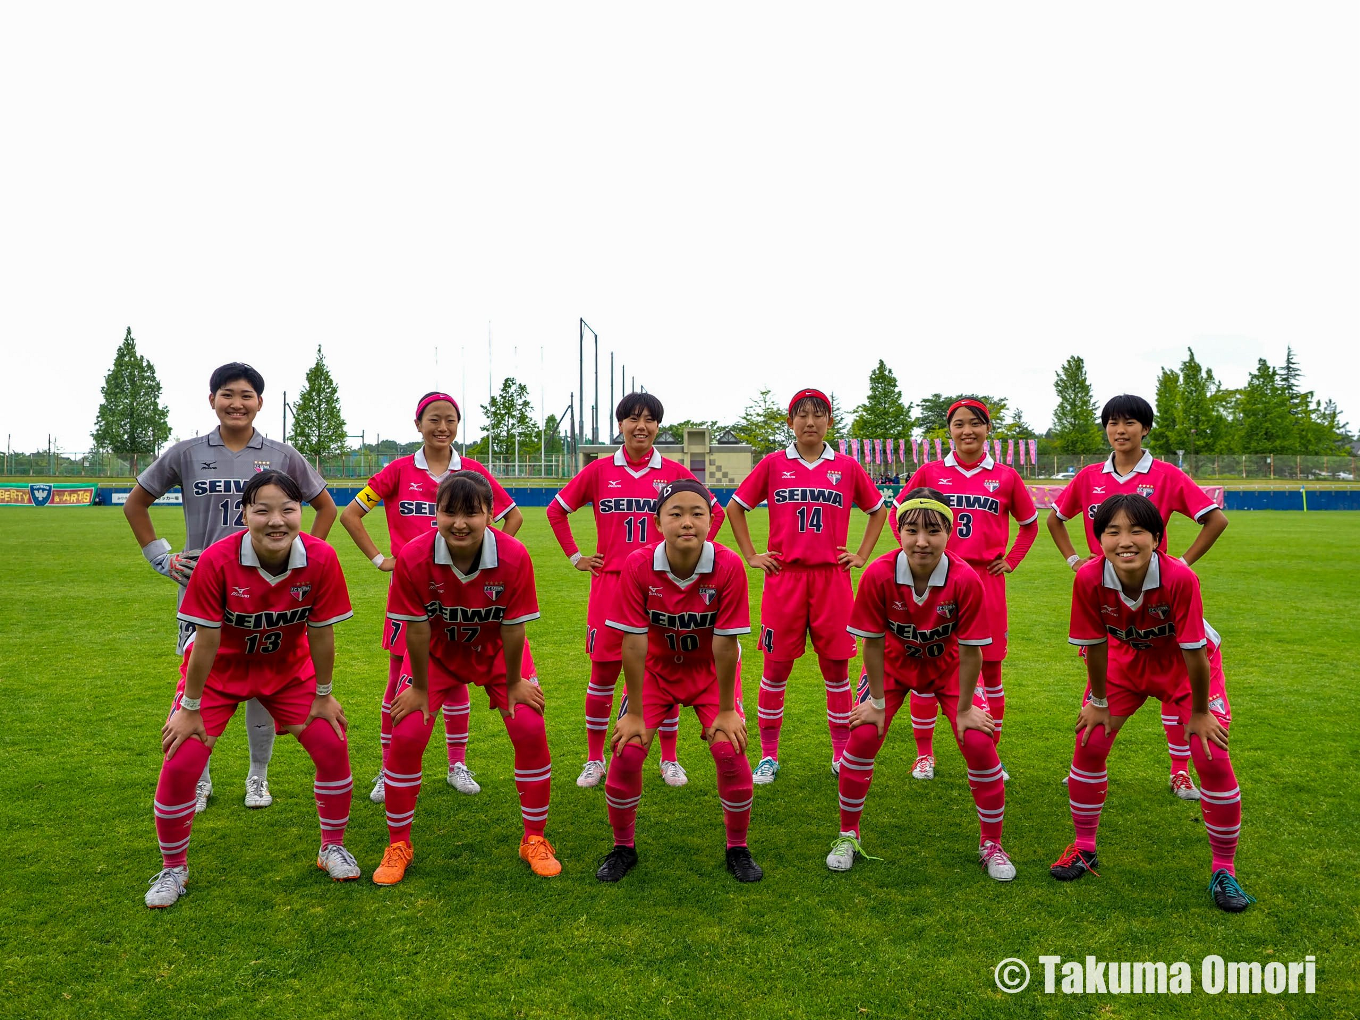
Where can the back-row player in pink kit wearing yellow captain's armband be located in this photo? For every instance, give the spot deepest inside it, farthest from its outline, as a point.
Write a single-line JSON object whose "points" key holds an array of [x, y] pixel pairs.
{"points": [[407, 489]]}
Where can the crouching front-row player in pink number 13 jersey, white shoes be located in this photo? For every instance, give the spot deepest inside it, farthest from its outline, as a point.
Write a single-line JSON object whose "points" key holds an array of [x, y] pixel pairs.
{"points": [[262, 606]]}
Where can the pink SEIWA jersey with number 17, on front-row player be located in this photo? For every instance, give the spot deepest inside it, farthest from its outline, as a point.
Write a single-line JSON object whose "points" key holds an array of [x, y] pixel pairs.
{"points": [[466, 611]]}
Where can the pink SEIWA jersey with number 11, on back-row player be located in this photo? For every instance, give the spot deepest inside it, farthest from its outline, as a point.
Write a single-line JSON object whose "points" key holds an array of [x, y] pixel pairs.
{"points": [[625, 503]]}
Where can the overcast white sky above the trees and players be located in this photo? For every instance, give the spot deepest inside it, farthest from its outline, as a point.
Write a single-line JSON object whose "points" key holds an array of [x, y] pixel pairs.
{"points": [[734, 197]]}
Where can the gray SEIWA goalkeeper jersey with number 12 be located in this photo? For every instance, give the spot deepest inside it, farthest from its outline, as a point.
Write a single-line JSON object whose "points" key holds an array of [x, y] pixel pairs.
{"points": [[211, 478]]}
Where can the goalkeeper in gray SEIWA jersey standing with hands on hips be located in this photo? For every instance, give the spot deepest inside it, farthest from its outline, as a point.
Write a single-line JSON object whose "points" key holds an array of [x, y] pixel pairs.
{"points": [[211, 471]]}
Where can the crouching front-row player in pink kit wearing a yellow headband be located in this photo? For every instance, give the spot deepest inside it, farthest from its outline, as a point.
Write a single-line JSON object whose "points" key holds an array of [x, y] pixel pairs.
{"points": [[924, 621]]}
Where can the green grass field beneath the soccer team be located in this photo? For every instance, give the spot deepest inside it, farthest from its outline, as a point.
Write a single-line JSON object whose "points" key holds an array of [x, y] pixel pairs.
{"points": [[89, 668]]}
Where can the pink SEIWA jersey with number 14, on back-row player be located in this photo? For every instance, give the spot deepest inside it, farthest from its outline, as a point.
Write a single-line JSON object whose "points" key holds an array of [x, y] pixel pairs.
{"points": [[810, 504]]}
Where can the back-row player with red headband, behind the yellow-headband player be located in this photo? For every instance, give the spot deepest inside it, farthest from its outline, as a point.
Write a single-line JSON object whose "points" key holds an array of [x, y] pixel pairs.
{"points": [[985, 496]]}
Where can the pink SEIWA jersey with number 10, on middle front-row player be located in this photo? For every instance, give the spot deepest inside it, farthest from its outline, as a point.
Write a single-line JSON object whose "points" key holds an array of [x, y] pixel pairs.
{"points": [[682, 617]]}
